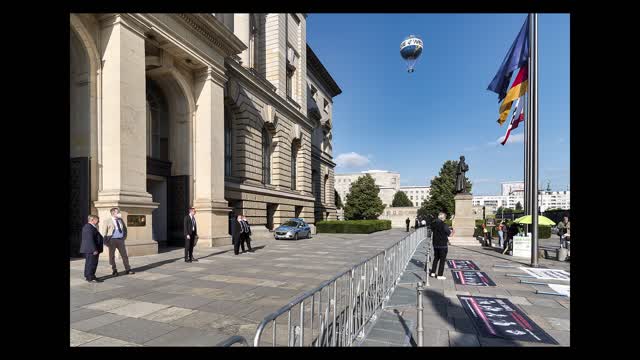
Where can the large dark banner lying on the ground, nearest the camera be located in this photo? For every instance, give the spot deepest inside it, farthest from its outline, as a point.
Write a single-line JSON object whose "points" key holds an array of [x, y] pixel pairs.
{"points": [[497, 317]]}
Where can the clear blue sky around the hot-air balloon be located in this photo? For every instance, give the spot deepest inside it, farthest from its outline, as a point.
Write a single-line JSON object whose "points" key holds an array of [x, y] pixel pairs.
{"points": [[388, 119]]}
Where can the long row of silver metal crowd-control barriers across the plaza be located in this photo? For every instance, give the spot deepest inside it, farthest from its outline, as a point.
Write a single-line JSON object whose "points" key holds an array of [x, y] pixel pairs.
{"points": [[342, 306]]}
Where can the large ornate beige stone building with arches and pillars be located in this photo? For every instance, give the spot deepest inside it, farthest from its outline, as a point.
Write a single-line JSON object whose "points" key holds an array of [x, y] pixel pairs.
{"points": [[170, 111]]}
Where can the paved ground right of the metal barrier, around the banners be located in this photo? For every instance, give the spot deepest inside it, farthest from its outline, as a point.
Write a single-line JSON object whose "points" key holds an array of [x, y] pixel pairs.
{"points": [[445, 321]]}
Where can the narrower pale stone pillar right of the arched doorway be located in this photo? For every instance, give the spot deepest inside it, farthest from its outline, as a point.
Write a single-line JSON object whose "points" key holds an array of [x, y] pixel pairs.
{"points": [[211, 207]]}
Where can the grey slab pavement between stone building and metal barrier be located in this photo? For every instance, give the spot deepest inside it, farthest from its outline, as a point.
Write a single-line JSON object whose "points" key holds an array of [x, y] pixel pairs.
{"points": [[168, 302]]}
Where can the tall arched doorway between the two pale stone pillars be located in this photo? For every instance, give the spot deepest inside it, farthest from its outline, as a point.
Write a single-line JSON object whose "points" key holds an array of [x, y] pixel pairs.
{"points": [[169, 155]]}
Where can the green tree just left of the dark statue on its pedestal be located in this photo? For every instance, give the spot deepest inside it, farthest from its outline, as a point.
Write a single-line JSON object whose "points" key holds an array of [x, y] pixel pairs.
{"points": [[442, 192]]}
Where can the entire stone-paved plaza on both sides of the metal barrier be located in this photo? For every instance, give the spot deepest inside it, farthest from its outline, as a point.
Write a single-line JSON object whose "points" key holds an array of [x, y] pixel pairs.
{"points": [[168, 302]]}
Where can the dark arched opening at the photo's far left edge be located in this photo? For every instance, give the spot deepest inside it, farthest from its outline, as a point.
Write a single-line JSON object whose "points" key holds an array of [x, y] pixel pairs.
{"points": [[79, 140]]}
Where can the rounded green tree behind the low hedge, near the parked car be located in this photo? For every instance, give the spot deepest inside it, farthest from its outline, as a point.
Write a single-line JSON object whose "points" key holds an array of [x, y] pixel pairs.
{"points": [[363, 202]]}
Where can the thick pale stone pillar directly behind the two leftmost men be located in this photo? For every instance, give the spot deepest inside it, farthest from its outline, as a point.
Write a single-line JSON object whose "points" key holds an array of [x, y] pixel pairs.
{"points": [[123, 145]]}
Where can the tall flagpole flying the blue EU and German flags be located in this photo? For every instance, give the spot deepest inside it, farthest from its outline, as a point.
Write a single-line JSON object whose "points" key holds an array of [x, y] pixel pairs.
{"points": [[533, 88]]}
